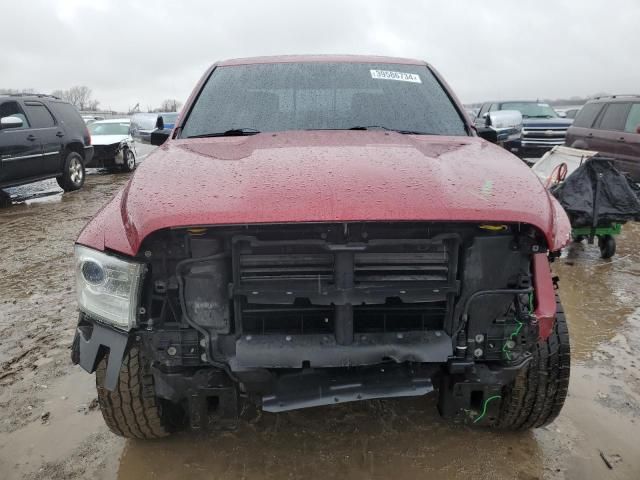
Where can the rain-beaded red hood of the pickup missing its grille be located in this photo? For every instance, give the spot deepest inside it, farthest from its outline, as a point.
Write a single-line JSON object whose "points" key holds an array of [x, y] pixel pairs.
{"points": [[323, 176]]}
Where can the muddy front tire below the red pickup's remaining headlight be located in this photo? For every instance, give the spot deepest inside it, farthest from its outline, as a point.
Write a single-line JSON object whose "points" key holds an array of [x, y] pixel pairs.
{"points": [[132, 410]]}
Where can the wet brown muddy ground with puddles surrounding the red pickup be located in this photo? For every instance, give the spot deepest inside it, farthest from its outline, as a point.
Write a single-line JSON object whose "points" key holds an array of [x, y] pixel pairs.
{"points": [[50, 427]]}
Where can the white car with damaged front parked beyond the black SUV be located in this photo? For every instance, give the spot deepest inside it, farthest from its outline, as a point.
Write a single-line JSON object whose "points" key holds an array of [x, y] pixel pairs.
{"points": [[113, 145]]}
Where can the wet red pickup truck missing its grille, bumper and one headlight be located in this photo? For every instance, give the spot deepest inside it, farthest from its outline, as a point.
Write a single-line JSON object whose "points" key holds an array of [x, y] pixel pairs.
{"points": [[318, 230]]}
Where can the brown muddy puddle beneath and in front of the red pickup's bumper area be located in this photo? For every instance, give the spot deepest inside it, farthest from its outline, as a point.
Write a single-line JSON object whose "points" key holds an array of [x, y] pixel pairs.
{"points": [[403, 439]]}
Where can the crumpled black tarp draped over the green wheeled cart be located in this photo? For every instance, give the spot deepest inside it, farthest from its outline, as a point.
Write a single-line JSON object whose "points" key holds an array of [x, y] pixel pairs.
{"points": [[596, 194]]}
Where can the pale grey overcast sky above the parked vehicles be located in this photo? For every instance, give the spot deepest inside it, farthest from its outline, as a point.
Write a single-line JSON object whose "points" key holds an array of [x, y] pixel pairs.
{"points": [[131, 51]]}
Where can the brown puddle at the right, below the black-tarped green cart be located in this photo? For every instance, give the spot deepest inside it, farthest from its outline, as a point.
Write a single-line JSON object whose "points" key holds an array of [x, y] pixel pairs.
{"points": [[598, 295]]}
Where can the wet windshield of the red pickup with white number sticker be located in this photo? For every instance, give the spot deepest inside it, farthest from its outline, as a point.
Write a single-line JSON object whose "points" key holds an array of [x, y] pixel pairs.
{"points": [[320, 96]]}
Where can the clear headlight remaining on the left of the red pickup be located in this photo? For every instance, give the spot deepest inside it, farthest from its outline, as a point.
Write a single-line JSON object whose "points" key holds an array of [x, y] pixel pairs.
{"points": [[108, 287]]}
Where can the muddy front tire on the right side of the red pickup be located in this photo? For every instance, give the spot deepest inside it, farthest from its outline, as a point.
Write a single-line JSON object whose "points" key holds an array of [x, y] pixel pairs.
{"points": [[538, 393]]}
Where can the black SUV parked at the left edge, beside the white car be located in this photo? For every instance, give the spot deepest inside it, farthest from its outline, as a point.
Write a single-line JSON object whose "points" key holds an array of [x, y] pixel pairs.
{"points": [[42, 137]]}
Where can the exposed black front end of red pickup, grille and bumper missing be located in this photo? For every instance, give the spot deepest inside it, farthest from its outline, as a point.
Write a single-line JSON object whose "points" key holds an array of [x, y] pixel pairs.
{"points": [[299, 315]]}
